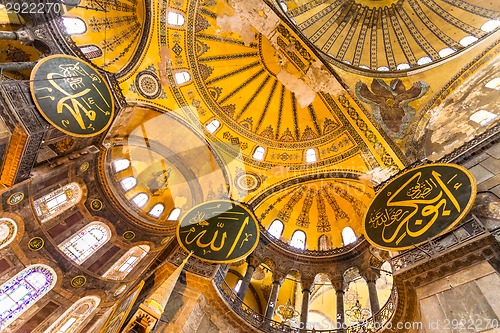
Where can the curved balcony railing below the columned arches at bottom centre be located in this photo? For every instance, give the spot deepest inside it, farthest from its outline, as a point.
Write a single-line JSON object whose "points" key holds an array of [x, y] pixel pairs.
{"points": [[260, 322]]}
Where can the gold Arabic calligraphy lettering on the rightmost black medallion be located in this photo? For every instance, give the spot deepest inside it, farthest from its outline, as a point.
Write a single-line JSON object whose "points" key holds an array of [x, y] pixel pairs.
{"points": [[397, 218]]}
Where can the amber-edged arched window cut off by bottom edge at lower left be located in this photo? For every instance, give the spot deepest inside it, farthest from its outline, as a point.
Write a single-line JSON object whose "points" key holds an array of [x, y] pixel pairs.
{"points": [[73, 318]]}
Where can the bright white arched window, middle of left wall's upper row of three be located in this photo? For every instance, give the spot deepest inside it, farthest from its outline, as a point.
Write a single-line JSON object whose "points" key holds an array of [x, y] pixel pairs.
{"points": [[86, 242]]}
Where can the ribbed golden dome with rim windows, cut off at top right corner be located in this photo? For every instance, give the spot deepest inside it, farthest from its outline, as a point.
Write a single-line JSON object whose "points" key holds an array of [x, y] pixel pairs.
{"points": [[391, 35]]}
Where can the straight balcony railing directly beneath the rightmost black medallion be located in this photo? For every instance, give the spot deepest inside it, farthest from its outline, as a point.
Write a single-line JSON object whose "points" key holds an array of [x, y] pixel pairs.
{"points": [[467, 230]]}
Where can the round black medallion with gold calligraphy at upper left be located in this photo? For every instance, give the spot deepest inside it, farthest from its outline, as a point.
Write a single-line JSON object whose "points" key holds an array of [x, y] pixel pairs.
{"points": [[72, 96]]}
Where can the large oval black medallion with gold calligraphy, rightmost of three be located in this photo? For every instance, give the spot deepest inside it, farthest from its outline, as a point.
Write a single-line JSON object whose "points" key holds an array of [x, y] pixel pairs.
{"points": [[419, 205]]}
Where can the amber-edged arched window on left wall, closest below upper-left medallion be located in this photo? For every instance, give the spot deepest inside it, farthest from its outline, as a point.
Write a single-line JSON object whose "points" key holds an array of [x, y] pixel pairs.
{"points": [[58, 201]]}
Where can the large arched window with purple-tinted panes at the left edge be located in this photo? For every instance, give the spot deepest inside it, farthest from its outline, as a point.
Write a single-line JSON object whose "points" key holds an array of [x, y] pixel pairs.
{"points": [[23, 290]]}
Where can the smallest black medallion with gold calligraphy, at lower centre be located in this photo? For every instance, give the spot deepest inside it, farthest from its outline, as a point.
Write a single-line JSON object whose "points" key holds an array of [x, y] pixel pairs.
{"points": [[219, 231]]}
